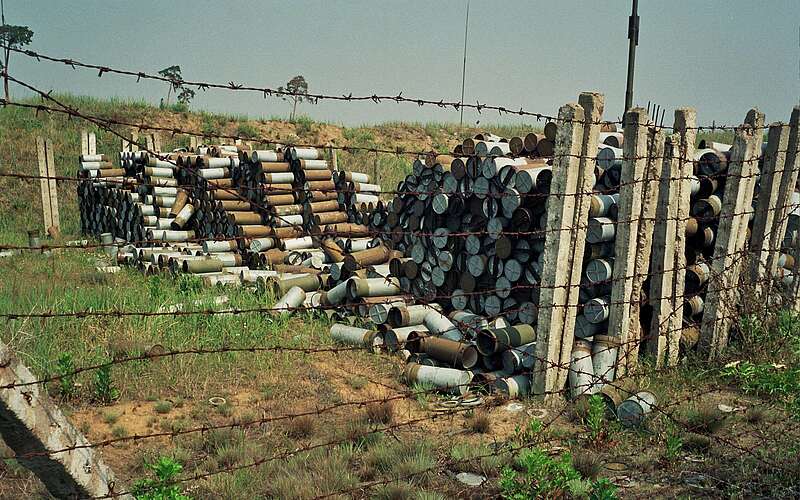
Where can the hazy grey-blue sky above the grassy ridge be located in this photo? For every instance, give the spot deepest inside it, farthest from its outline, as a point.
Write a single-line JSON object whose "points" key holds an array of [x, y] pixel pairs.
{"points": [[721, 57]]}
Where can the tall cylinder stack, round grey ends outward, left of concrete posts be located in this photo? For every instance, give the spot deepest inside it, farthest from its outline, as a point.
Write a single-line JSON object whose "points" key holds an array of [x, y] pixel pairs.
{"points": [[472, 235]]}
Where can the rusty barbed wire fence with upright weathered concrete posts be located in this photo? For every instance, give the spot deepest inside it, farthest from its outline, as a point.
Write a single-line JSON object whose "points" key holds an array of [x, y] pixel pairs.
{"points": [[730, 262]]}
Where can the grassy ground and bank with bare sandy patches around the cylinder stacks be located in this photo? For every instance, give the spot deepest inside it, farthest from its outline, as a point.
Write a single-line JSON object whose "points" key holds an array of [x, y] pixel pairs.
{"points": [[694, 450]]}
